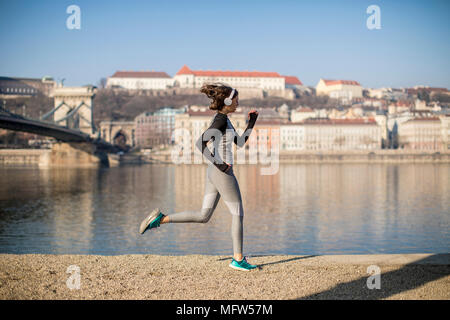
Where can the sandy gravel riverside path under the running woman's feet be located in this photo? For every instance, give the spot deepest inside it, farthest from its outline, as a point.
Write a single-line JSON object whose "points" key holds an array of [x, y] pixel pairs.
{"points": [[401, 276]]}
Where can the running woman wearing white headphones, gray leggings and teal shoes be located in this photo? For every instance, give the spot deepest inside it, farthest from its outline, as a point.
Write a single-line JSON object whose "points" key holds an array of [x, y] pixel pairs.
{"points": [[220, 179]]}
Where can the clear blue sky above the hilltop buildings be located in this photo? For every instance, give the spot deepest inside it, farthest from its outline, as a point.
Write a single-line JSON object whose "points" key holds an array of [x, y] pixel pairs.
{"points": [[308, 39]]}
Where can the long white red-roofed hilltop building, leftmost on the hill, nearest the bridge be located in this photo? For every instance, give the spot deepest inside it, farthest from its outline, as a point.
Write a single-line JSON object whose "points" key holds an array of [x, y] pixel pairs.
{"points": [[140, 80]]}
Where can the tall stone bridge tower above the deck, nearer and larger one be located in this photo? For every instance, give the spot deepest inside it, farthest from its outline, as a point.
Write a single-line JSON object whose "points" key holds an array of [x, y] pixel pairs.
{"points": [[74, 108]]}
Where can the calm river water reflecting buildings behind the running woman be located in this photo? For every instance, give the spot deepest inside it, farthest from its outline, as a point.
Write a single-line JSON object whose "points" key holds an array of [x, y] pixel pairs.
{"points": [[303, 209]]}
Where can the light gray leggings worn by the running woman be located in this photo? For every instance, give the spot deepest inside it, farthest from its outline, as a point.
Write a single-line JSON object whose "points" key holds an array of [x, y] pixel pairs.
{"points": [[218, 184]]}
